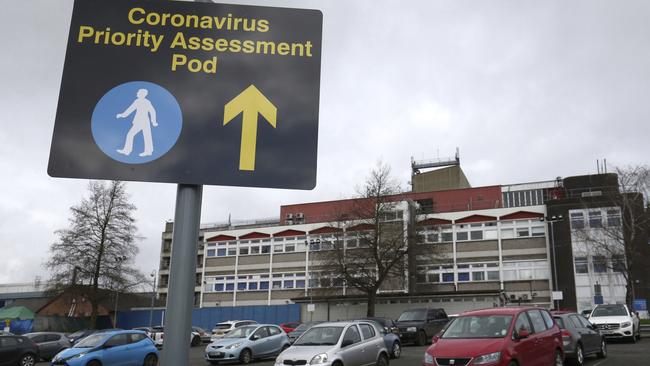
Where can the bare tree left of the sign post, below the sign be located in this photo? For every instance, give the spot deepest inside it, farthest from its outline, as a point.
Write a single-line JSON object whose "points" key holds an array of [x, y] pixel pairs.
{"points": [[96, 252]]}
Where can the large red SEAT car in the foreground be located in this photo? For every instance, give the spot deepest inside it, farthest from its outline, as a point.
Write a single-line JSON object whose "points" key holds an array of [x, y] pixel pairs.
{"points": [[514, 336]]}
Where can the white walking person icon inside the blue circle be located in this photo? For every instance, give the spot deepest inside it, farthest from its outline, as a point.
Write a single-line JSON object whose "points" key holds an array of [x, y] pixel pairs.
{"points": [[144, 114]]}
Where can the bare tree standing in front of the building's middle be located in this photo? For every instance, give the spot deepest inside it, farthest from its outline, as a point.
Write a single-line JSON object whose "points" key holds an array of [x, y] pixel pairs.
{"points": [[376, 238]]}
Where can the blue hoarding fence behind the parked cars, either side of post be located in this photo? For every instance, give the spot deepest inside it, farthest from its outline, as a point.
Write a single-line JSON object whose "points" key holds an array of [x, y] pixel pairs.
{"points": [[207, 317]]}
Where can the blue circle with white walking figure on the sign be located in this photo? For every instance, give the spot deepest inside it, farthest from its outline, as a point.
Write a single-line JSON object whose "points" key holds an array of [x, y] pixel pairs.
{"points": [[136, 122]]}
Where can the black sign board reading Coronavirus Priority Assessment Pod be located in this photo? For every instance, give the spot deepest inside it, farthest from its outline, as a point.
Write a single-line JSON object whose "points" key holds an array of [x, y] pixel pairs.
{"points": [[191, 93]]}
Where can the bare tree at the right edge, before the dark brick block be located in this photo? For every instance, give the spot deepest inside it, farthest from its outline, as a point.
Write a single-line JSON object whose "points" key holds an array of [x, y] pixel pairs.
{"points": [[618, 244]]}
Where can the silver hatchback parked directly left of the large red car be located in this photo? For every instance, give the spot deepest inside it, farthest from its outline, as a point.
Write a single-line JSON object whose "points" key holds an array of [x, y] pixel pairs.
{"points": [[356, 343]]}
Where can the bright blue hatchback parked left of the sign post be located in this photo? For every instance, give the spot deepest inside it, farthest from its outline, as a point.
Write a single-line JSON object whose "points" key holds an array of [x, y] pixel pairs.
{"points": [[114, 348]]}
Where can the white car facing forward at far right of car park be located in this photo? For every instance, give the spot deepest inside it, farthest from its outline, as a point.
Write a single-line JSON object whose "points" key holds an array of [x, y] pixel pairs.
{"points": [[616, 321]]}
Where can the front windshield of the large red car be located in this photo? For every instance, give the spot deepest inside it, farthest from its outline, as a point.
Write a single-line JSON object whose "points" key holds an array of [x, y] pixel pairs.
{"points": [[490, 326]]}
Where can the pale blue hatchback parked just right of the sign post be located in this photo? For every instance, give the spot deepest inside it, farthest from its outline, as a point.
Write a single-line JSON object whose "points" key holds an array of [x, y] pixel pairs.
{"points": [[246, 343]]}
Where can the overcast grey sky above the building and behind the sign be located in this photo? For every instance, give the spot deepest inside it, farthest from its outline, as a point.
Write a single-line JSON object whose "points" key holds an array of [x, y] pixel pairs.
{"points": [[528, 90]]}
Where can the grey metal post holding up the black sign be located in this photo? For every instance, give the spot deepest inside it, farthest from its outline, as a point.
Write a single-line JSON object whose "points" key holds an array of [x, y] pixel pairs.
{"points": [[182, 274]]}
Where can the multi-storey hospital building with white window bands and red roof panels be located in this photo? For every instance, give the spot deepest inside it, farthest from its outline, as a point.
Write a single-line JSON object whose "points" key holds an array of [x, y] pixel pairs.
{"points": [[475, 248]]}
